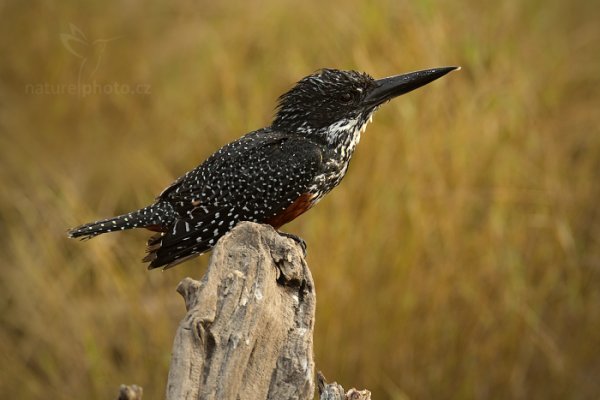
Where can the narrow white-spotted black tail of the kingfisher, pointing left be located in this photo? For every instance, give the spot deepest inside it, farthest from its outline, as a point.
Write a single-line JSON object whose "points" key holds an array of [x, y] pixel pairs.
{"points": [[153, 217]]}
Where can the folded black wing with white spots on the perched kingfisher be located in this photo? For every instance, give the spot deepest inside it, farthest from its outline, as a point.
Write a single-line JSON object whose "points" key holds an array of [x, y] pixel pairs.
{"points": [[253, 179]]}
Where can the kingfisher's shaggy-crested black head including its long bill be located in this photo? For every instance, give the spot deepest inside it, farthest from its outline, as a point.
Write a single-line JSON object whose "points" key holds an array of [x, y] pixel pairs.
{"points": [[331, 104]]}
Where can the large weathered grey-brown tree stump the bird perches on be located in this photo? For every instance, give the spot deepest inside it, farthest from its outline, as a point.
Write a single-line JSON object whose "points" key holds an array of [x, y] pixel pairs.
{"points": [[249, 326]]}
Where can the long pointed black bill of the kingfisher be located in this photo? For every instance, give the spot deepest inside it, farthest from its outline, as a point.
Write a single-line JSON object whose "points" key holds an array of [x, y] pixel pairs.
{"points": [[393, 86]]}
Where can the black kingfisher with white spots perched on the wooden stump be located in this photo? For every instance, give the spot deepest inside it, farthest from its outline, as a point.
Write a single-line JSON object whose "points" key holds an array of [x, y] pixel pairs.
{"points": [[271, 175]]}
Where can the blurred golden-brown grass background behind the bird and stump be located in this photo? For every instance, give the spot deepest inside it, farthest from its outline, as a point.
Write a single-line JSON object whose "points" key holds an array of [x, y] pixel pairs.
{"points": [[459, 259]]}
